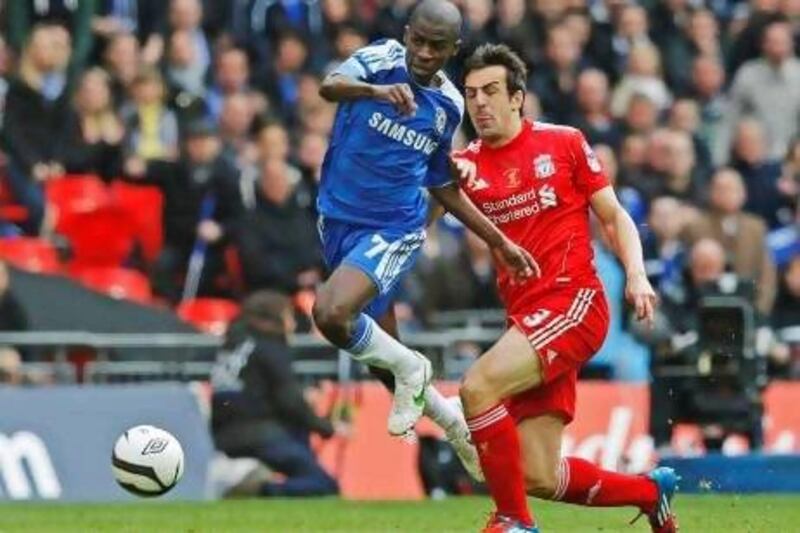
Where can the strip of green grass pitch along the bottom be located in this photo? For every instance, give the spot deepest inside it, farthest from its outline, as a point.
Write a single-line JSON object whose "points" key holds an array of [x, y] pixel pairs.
{"points": [[728, 514]]}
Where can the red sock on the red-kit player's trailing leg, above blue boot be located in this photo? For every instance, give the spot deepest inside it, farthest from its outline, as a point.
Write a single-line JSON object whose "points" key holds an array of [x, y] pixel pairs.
{"points": [[583, 483]]}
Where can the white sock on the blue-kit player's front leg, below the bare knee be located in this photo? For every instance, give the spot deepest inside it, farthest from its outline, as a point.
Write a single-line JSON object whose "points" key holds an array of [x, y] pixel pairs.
{"points": [[378, 348]]}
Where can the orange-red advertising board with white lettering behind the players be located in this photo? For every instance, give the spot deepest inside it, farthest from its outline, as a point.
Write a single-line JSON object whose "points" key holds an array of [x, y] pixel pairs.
{"points": [[610, 429]]}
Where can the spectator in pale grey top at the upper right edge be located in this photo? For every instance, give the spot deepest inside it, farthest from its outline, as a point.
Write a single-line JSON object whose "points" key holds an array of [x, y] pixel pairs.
{"points": [[768, 89]]}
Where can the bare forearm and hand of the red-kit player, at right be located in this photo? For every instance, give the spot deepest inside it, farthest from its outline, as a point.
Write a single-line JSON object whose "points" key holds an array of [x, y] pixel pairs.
{"points": [[638, 290]]}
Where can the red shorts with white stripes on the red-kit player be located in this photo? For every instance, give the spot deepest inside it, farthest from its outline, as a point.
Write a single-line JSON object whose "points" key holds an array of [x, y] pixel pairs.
{"points": [[567, 328]]}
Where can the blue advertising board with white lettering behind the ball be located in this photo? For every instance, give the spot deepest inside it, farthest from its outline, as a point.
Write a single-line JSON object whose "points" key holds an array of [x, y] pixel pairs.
{"points": [[55, 442]]}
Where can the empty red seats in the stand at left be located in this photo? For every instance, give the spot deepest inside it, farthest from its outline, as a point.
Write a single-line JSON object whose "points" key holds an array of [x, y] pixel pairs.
{"points": [[103, 224]]}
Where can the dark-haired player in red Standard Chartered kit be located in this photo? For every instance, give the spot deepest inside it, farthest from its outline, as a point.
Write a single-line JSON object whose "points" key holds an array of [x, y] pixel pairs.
{"points": [[537, 182]]}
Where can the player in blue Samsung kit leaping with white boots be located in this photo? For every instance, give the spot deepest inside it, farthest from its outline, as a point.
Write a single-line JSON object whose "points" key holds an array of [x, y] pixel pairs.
{"points": [[391, 141]]}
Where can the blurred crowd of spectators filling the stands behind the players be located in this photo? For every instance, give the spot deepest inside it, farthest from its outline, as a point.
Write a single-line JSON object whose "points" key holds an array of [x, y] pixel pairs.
{"points": [[693, 107]]}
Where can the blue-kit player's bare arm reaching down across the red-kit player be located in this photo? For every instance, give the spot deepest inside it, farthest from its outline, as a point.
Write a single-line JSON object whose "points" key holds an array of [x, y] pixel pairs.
{"points": [[453, 199]]}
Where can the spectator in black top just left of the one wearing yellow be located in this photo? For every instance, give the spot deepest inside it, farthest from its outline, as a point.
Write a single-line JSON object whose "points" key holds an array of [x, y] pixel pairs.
{"points": [[94, 133]]}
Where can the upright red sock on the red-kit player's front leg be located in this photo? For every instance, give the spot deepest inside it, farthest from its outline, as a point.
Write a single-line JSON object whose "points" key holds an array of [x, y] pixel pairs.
{"points": [[495, 436]]}
